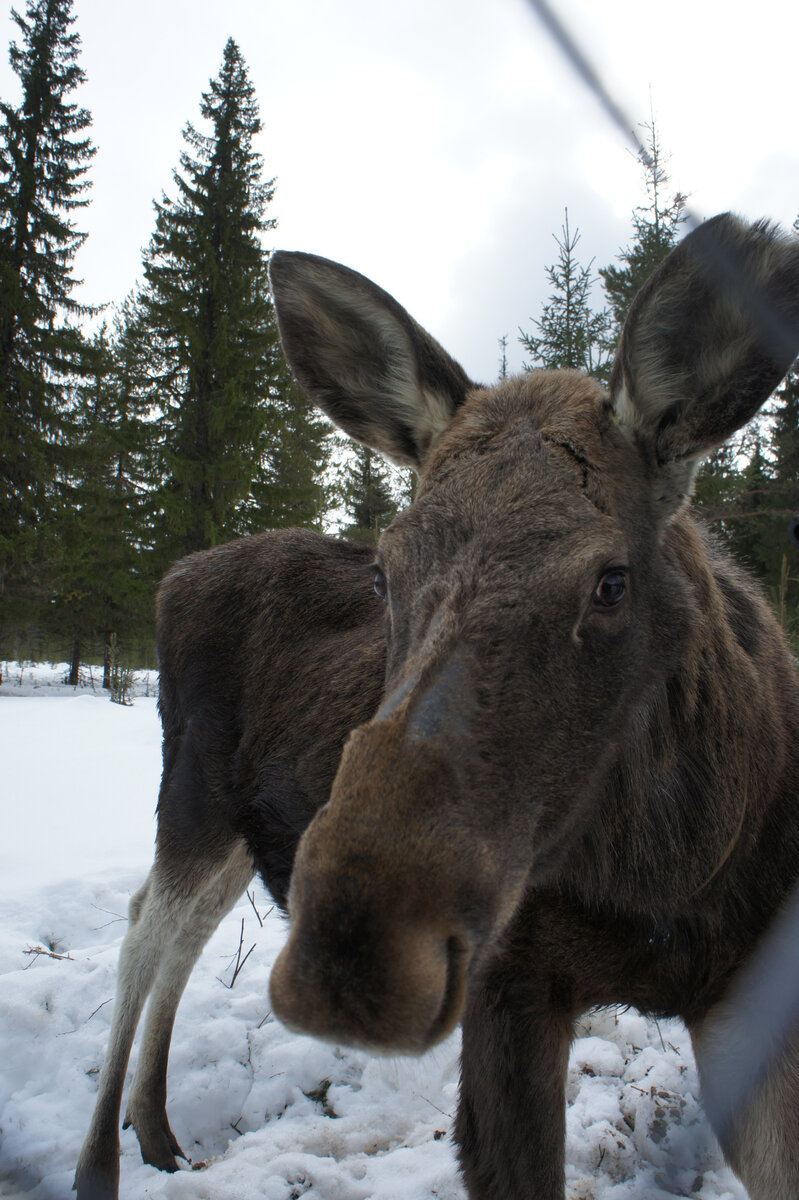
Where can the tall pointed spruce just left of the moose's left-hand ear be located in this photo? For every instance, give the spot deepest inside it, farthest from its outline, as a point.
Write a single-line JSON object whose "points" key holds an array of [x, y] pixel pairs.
{"points": [[209, 322]]}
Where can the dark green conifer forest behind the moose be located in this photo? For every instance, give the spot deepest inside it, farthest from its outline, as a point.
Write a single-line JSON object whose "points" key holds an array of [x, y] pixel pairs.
{"points": [[169, 422]]}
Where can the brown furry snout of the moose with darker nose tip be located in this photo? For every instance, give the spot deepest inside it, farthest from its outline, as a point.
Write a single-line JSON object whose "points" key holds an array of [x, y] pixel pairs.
{"points": [[387, 908]]}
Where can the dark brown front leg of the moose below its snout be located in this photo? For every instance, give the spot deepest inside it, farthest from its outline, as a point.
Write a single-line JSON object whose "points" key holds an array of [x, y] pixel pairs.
{"points": [[512, 1121]]}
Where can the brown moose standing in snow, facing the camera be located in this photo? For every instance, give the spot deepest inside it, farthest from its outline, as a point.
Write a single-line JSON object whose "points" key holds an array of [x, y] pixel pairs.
{"points": [[539, 753]]}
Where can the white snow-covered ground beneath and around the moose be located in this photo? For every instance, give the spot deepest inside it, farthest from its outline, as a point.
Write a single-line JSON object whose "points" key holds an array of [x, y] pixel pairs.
{"points": [[261, 1112]]}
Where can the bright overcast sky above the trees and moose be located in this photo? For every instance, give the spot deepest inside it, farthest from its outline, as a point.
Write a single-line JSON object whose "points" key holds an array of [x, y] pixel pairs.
{"points": [[432, 145]]}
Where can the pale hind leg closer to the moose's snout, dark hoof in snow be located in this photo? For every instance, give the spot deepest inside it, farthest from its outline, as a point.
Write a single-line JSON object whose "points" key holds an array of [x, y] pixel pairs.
{"points": [[147, 1108]]}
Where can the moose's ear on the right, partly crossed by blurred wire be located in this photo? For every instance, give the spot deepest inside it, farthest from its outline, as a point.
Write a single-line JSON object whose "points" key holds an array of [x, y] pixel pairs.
{"points": [[708, 339]]}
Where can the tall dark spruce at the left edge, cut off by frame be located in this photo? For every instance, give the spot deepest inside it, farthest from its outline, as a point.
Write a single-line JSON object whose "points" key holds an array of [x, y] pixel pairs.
{"points": [[45, 154]]}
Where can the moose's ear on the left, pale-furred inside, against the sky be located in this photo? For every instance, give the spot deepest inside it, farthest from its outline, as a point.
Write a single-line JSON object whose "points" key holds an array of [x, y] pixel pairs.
{"points": [[363, 359]]}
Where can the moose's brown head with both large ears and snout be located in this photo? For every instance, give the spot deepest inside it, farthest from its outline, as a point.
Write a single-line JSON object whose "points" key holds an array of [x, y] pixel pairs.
{"points": [[539, 593]]}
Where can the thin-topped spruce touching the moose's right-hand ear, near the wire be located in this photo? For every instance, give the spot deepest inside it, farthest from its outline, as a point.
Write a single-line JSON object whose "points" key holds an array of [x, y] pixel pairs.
{"points": [[657, 227]]}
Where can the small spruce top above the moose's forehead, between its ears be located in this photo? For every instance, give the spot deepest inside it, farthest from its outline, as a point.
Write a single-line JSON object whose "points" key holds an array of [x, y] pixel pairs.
{"points": [[570, 334]]}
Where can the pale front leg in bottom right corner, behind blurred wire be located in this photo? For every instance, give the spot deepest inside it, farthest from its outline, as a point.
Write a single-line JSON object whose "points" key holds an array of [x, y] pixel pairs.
{"points": [[764, 1147]]}
